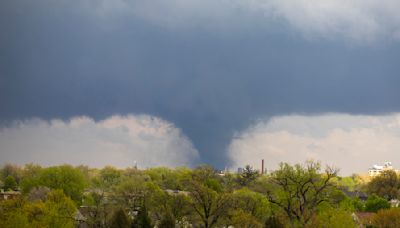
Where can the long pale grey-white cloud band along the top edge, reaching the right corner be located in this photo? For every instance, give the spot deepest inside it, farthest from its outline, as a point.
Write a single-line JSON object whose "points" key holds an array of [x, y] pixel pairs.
{"points": [[364, 21]]}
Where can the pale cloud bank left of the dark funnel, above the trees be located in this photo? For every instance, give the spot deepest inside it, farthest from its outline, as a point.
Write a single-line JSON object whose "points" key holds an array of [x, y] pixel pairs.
{"points": [[118, 141]]}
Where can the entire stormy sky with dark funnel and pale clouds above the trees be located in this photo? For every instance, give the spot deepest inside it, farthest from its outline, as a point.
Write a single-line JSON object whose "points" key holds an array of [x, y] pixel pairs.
{"points": [[185, 82]]}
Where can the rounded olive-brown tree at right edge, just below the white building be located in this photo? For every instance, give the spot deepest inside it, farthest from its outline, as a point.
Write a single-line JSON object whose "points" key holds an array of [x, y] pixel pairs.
{"points": [[385, 185]]}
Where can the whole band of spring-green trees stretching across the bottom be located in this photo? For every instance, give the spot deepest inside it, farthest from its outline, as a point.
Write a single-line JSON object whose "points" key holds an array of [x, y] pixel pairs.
{"points": [[300, 195]]}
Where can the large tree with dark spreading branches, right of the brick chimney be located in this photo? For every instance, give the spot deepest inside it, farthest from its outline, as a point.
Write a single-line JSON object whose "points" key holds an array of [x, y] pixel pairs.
{"points": [[298, 190]]}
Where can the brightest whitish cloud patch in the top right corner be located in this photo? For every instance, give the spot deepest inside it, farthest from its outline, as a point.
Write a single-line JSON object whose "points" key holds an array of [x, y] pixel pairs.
{"points": [[355, 20]]}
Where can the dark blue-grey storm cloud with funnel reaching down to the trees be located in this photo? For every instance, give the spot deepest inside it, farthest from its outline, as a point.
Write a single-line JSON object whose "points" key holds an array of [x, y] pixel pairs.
{"points": [[63, 59]]}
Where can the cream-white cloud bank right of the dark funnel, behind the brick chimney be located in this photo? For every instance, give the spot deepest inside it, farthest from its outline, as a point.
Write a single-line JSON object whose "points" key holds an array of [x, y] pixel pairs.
{"points": [[351, 143]]}
